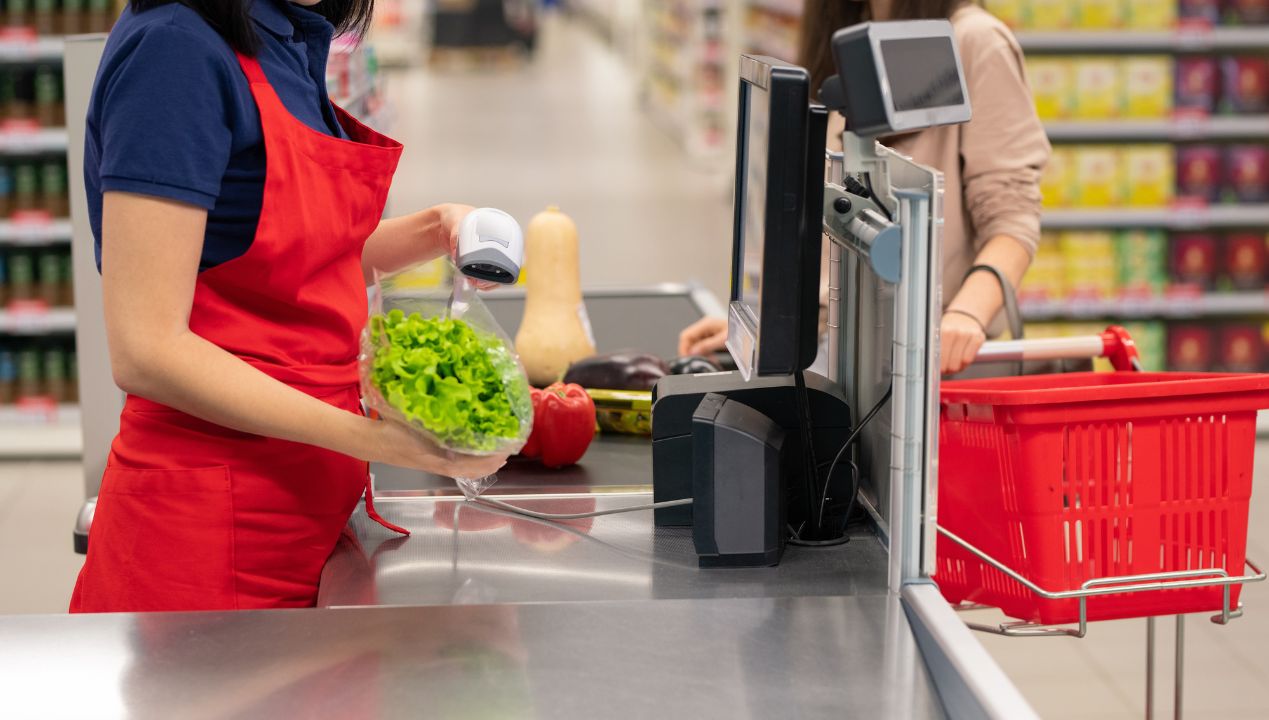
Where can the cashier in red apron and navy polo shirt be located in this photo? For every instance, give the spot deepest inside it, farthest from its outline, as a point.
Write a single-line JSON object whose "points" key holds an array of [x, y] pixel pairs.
{"points": [[238, 219]]}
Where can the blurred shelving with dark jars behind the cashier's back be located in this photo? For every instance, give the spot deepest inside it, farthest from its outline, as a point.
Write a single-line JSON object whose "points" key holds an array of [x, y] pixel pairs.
{"points": [[37, 323]]}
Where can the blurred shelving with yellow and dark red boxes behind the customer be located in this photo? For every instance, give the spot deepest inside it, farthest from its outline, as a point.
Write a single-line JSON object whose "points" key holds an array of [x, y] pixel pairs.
{"points": [[1158, 195]]}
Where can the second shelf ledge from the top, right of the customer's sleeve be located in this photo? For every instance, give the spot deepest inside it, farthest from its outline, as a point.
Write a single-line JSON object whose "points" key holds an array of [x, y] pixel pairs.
{"points": [[1162, 130]]}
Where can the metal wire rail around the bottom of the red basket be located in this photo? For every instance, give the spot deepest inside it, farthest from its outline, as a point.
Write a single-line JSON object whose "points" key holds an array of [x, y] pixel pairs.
{"points": [[1178, 580]]}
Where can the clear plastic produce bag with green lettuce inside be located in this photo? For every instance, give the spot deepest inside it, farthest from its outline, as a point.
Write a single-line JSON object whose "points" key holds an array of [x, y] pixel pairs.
{"points": [[437, 361]]}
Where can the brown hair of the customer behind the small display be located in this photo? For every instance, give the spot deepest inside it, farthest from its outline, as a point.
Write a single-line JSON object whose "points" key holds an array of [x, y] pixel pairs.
{"points": [[822, 18]]}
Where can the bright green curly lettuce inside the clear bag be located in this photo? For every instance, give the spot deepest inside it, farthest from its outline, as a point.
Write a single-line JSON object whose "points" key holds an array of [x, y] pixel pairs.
{"points": [[460, 384]]}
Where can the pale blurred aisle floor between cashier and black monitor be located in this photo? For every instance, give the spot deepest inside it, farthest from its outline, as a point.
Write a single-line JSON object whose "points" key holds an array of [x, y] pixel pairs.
{"points": [[568, 131]]}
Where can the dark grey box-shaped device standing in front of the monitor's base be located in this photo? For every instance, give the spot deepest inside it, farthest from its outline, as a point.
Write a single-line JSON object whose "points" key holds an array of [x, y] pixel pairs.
{"points": [[738, 459]]}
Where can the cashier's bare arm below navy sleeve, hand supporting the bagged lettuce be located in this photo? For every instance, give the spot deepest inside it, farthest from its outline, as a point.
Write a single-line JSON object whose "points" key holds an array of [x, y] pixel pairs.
{"points": [[150, 255]]}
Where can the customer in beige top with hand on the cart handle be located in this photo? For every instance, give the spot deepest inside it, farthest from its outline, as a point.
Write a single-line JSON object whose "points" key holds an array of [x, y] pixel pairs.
{"points": [[996, 161]]}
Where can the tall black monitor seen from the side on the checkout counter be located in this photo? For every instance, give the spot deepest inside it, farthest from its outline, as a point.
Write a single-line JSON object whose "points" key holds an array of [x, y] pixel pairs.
{"points": [[775, 313]]}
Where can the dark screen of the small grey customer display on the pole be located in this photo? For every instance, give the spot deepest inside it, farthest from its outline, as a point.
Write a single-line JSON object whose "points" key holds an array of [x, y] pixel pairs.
{"points": [[923, 73]]}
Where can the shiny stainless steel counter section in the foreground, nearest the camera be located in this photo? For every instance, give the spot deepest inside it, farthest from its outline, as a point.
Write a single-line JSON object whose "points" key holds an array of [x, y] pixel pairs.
{"points": [[695, 660]]}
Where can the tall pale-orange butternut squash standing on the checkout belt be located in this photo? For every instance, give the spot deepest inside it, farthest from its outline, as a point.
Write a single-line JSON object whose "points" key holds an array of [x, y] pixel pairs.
{"points": [[555, 331]]}
